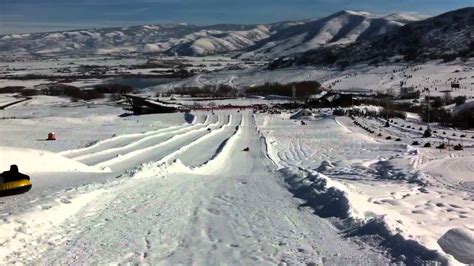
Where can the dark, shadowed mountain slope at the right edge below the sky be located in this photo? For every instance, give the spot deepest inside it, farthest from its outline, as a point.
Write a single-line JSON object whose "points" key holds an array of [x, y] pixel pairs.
{"points": [[447, 36]]}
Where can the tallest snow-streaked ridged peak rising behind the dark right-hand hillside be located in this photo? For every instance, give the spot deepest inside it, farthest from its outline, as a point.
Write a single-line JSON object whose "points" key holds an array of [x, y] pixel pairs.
{"points": [[340, 28]]}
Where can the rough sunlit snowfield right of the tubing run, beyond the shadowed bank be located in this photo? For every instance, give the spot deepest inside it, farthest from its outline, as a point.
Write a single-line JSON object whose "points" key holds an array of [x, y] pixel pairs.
{"points": [[421, 193]]}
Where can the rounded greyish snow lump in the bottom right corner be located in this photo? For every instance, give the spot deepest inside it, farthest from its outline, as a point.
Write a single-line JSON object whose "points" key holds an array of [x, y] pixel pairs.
{"points": [[459, 243]]}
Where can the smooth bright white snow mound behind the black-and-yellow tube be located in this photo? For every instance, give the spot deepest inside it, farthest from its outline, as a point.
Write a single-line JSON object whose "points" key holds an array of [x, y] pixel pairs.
{"points": [[34, 161]]}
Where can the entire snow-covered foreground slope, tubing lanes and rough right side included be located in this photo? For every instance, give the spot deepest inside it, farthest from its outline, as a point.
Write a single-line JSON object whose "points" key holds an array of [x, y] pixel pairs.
{"points": [[168, 189]]}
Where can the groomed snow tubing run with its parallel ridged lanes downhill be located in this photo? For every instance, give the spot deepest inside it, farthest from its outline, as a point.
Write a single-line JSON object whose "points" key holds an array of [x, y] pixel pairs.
{"points": [[195, 198]]}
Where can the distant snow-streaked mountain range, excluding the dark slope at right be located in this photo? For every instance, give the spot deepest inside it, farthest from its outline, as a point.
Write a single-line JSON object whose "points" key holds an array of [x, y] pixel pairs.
{"points": [[269, 40]]}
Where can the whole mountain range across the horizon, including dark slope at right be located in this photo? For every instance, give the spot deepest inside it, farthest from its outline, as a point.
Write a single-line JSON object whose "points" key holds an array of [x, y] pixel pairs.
{"points": [[342, 38]]}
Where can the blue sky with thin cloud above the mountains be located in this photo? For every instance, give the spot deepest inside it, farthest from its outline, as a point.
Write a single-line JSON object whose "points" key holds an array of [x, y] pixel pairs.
{"points": [[17, 16]]}
